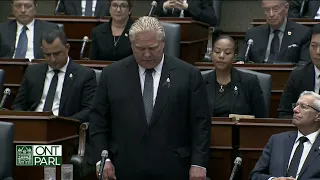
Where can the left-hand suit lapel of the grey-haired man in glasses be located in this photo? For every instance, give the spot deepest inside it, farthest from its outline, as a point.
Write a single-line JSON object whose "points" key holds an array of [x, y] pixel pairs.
{"points": [[288, 145]]}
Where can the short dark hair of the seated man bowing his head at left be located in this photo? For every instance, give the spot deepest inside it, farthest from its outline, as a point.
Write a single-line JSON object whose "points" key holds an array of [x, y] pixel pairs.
{"points": [[51, 35]]}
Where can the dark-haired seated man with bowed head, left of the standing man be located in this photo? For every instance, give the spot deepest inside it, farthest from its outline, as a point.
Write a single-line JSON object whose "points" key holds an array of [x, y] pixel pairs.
{"points": [[59, 85]]}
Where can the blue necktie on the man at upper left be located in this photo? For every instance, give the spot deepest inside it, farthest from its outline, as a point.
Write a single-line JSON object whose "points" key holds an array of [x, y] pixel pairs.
{"points": [[22, 46]]}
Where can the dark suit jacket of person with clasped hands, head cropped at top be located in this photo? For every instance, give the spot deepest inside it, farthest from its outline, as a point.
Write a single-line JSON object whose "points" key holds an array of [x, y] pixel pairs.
{"points": [[199, 10]]}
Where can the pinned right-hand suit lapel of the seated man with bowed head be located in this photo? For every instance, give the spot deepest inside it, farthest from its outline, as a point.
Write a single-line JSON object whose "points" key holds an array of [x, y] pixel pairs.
{"points": [[69, 77]]}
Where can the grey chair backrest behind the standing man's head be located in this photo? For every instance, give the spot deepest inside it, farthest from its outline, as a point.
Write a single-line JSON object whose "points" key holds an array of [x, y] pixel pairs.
{"points": [[173, 38]]}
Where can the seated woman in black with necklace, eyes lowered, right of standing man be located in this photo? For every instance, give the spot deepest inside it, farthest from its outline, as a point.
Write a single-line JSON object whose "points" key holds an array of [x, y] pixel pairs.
{"points": [[229, 90]]}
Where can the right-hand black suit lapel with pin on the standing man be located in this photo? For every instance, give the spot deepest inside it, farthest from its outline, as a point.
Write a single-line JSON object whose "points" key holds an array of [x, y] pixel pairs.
{"points": [[163, 89]]}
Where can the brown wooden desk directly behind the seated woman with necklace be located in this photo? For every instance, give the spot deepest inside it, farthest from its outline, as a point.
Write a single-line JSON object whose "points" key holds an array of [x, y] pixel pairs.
{"points": [[279, 73]]}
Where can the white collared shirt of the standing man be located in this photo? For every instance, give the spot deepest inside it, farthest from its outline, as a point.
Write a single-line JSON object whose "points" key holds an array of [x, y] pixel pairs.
{"points": [[156, 78]]}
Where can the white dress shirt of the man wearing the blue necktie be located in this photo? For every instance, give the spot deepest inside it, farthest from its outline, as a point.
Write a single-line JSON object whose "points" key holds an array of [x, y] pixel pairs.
{"points": [[30, 35]]}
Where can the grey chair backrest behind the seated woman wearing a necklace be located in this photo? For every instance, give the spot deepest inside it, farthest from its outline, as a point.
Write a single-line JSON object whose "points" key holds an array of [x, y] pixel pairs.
{"points": [[265, 81]]}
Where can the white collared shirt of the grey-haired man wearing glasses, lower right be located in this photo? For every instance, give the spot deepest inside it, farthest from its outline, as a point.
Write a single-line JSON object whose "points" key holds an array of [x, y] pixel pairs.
{"points": [[306, 148]]}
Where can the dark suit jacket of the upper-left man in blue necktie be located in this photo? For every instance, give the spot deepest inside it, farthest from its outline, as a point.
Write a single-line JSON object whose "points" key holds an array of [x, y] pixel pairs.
{"points": [[8, 32]]}
